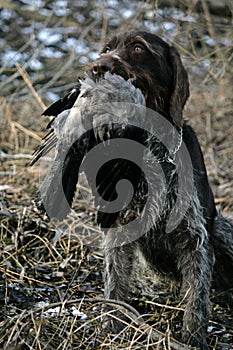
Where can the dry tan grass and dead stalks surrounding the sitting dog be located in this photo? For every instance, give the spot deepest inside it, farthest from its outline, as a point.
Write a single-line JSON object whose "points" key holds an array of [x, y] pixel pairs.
{"points": [[51, 288]]}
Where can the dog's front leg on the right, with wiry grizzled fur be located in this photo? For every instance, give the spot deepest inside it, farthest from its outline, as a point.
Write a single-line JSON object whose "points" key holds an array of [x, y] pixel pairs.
{"points": [[196, 268]]}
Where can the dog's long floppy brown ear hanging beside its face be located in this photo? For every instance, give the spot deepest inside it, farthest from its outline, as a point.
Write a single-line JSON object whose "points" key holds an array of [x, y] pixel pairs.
{"points": [[180, 90]]}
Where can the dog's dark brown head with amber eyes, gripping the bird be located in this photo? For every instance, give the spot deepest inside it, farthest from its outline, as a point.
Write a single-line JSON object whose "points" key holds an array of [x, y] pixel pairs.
{"points": [[154, 67]]}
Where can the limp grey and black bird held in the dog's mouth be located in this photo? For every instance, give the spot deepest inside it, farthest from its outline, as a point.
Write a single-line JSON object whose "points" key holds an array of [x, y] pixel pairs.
{"points": [[91, 113]]}
